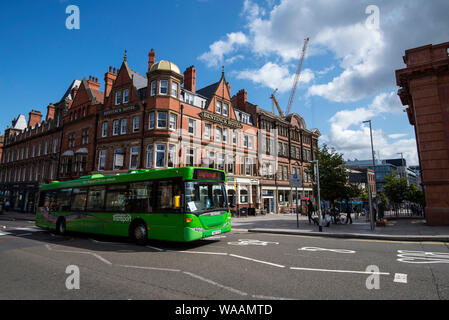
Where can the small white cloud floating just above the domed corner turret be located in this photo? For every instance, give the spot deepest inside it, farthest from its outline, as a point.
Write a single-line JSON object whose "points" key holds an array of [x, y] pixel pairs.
{"points": [[215, 56]]}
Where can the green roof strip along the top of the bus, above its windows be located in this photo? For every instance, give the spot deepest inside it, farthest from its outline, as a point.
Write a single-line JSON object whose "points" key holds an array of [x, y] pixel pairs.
{"points": [[187, 173]]}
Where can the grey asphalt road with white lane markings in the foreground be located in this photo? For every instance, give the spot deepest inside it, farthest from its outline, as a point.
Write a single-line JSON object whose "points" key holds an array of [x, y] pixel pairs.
{"points": [[237, 265]]}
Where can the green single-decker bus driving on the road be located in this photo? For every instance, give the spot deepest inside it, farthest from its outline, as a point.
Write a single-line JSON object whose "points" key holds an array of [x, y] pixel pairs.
{"points": [[180, 204]]}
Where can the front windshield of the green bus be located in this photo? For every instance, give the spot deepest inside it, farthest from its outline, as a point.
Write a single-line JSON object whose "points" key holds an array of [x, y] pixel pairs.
{"points": [[205, 196]]}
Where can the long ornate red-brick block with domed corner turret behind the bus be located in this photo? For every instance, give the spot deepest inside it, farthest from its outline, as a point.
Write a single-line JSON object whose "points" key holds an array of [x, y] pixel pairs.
{"points": [[159, 120]]}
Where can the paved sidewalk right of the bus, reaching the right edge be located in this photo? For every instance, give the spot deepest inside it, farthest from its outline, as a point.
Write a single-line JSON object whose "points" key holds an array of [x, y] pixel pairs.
{"points": [[412, 229]]}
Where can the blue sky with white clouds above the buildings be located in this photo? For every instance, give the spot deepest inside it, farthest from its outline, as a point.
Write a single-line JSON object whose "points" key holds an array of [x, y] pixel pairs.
{"points": [[348, 75]]}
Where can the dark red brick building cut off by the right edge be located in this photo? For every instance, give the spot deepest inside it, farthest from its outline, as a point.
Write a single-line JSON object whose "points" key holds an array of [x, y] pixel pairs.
{"points": [[425, 90]]}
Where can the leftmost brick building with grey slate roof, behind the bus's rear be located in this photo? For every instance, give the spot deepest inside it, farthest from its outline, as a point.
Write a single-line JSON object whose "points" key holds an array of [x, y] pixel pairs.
{"points": [[31, 153]]}
